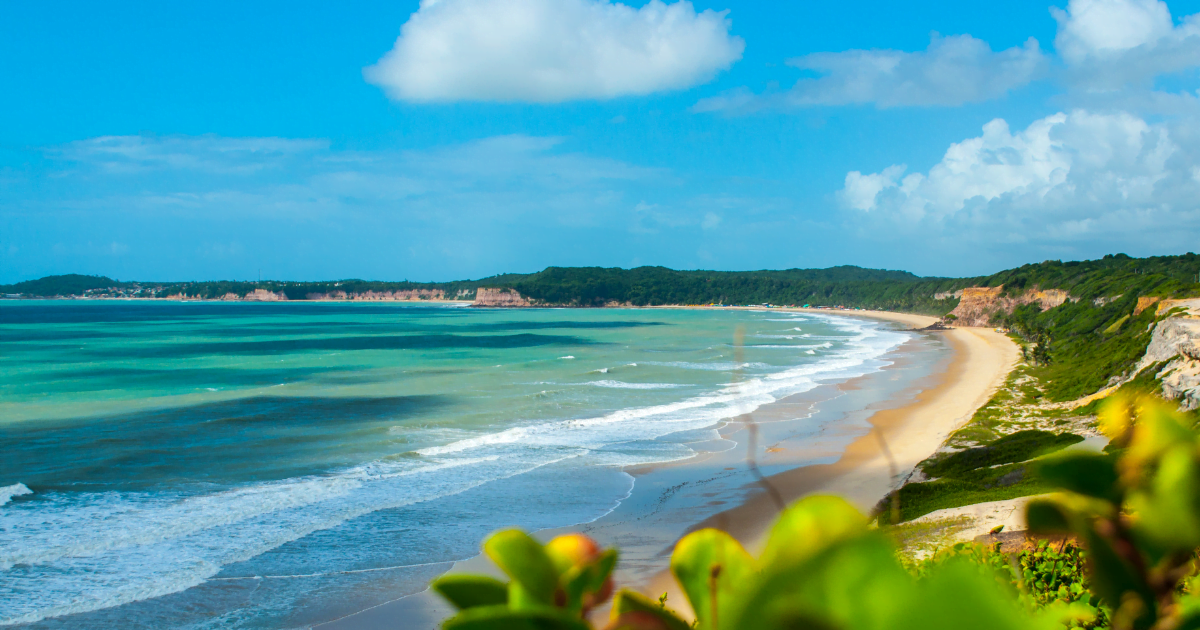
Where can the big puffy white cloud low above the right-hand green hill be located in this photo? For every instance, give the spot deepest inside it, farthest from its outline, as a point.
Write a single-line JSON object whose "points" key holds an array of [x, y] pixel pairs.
{"points": [[1071, 176]]}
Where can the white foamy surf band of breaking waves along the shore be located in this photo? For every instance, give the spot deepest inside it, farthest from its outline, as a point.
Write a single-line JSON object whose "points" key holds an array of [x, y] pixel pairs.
{"points": [[88, 551]]}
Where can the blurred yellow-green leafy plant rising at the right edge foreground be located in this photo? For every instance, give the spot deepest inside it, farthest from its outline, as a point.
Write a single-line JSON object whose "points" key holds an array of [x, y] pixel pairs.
{"points": [[1137, 511]]}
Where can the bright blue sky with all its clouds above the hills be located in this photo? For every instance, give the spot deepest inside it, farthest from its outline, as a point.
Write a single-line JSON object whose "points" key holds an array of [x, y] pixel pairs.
{"points": [[451, 140]]}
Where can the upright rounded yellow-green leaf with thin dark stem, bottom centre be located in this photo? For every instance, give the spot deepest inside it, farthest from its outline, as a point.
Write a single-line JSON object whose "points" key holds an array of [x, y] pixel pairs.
{"points": [[713, 571]]}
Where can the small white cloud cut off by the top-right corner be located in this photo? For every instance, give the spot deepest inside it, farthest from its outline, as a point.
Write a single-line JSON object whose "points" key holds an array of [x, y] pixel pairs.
{"points": [[1109, 44]]}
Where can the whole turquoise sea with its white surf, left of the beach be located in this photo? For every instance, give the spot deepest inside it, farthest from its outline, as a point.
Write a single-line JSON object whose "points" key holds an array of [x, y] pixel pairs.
{"points": [[208, 465]]}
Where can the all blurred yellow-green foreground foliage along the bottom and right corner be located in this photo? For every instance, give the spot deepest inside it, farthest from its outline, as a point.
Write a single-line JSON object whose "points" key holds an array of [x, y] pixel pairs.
{"points": [[1127, 527]]}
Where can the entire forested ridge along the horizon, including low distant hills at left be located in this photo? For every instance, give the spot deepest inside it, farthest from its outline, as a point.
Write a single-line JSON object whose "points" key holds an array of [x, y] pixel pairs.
{"points": [[841, 286]]}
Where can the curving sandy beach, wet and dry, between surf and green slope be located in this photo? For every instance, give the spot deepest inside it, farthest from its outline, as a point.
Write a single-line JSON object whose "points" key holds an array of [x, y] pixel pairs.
{"points": [[716, 489]]}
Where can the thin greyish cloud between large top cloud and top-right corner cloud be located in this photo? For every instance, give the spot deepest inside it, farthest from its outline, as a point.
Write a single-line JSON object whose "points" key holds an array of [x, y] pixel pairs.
{"points": [[952, 71]]}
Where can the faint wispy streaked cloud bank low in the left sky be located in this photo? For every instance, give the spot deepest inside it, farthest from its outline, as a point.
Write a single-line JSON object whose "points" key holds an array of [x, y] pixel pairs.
{"points": [[503, 179]]}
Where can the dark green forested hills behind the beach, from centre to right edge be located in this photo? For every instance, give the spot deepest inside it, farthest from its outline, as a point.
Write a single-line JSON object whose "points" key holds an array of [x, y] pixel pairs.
{"points": [[851, 286]]}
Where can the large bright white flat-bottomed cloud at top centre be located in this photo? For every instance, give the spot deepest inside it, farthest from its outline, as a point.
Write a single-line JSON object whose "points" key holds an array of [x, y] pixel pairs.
{"points": [[553, 51]]}
